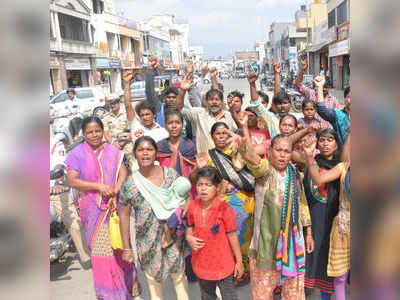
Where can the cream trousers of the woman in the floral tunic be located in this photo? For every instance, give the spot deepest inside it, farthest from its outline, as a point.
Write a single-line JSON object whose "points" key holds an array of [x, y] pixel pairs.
{"points": [[180, 283]]}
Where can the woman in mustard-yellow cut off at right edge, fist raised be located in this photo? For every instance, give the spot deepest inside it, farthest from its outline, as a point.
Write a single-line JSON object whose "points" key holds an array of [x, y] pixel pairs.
{"points": [[338, 263]]}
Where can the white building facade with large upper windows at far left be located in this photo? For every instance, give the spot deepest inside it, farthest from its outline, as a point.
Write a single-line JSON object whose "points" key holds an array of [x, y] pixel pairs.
{"points": [[72, 50]]}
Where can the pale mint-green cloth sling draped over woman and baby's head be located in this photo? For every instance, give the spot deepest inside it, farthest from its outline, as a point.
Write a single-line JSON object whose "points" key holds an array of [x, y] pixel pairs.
{"points": [[163, 201]]}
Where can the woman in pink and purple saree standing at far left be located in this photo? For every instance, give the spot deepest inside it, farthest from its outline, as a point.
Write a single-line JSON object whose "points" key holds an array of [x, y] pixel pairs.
{"points": [[97, 171]]}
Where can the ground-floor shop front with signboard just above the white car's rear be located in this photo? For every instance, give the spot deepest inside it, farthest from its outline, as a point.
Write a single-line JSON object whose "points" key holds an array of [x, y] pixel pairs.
{"points": [[108, 71]]}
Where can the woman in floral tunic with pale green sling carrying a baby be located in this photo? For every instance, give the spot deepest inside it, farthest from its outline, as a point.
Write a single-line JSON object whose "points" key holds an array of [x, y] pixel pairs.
{"points": [[144, 191]]}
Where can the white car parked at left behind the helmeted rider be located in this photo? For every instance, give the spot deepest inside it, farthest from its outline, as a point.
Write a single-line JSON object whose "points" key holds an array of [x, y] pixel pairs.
{"points": [[88, 98]]}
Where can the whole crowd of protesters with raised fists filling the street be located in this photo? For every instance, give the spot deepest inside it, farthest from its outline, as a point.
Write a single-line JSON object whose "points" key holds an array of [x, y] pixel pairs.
{"points": [[210, 191]]}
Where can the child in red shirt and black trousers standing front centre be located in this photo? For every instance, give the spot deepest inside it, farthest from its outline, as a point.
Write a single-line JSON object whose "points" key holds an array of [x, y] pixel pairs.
{"points": [[211, 233]]}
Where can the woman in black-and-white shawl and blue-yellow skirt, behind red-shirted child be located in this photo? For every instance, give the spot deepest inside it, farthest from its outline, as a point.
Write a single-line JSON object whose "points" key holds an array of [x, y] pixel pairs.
{"points": [[238, 187]]}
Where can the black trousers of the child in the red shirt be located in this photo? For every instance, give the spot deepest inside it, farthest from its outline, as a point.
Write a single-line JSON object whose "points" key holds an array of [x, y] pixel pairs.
{"points": [[226, 287]]}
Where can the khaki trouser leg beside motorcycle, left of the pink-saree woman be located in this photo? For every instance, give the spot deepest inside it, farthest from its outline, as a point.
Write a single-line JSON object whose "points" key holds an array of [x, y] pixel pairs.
{"points": [[64, 206]]}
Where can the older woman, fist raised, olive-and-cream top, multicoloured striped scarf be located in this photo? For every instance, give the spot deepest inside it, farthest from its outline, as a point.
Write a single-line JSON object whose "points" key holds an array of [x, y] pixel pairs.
{"points": [[277, 249]]}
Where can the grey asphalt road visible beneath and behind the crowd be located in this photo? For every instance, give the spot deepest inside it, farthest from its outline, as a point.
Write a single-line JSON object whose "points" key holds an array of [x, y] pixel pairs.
{"points": [[68, 281]]}
